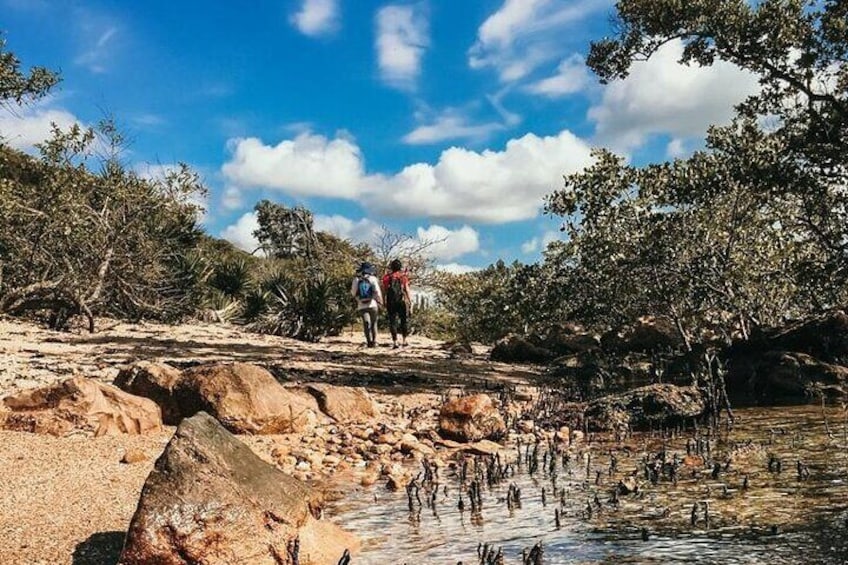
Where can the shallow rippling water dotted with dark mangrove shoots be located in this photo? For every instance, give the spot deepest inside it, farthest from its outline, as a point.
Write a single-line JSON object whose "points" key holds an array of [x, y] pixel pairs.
{"points": [[782, 517]]}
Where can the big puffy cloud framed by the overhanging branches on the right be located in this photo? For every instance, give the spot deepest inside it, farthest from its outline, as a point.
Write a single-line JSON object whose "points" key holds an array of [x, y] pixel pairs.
{"points": [[663, 96]]}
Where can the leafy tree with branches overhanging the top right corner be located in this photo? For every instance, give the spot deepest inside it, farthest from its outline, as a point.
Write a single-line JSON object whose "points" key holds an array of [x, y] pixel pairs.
{"points": [[799, 50]]}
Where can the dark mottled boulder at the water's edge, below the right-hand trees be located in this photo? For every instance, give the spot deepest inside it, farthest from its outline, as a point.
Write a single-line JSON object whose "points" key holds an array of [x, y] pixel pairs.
{"points": [[646, 407]]}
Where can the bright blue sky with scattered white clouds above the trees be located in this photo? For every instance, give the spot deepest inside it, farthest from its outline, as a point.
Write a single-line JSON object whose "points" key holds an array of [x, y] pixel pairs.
{"points": [[447, 120]]}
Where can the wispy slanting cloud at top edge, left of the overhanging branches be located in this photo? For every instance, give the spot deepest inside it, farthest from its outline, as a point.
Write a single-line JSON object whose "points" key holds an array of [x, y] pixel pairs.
{"points": [[524, 34]]}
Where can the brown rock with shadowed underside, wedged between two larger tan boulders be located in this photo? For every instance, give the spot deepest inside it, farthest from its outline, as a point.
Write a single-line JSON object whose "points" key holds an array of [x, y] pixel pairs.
{"points": [[155, 381]]}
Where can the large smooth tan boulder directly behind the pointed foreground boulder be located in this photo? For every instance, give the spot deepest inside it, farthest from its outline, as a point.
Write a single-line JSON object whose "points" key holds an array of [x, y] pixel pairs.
{"points": [[244, 398]]}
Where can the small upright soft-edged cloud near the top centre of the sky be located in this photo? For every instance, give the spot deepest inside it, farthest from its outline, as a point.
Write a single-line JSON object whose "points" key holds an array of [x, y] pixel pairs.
{"points": [[402, 38]]}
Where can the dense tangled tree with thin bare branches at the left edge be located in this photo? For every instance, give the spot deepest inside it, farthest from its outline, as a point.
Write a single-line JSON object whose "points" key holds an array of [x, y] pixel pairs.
{"points": [[77, 241]]}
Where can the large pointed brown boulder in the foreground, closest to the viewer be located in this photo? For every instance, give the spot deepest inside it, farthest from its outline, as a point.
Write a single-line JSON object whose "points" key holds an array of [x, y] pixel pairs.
{"points": [[211, 500]]}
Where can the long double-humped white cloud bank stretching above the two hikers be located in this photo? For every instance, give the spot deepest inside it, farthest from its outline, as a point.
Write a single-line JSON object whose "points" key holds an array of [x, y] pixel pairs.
{"points": [[463, 185]]}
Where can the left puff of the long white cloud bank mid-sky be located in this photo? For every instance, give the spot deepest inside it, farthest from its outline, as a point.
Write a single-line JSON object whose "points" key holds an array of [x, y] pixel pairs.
{"points": [[308, 165]]}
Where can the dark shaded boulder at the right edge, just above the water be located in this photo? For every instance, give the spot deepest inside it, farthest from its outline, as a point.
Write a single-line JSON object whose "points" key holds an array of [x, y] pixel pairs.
{"points": [[783, 374]]}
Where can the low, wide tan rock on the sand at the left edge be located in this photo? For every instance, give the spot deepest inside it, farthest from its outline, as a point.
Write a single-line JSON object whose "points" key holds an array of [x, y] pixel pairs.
{"points": [[80, 404]]}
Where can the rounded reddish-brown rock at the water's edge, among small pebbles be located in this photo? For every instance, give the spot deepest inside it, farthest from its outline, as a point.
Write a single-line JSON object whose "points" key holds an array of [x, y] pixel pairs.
{"points": [[471, 418]]}
